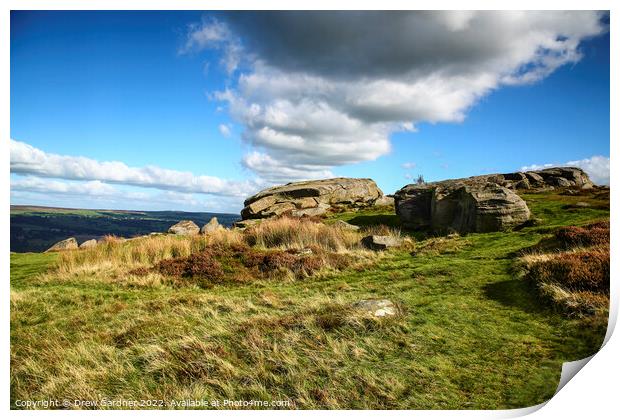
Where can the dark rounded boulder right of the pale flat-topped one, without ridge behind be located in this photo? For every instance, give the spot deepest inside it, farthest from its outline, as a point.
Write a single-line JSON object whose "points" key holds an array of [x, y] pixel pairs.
{"points": [[459, 207]]}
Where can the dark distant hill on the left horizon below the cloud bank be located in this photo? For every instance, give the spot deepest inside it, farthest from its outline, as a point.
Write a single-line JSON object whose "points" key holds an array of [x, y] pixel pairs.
{"points": [[36, 228]]}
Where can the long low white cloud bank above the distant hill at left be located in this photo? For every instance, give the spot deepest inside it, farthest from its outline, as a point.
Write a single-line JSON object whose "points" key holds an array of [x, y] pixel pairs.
{"points": [[28, 160]]}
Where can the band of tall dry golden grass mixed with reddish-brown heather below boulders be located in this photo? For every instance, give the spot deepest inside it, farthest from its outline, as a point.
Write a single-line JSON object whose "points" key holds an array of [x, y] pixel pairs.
{"points": [[137, 261]]}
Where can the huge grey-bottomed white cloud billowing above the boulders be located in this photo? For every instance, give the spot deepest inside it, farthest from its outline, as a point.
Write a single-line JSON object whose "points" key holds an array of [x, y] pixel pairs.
{"points": [[332, 90]]}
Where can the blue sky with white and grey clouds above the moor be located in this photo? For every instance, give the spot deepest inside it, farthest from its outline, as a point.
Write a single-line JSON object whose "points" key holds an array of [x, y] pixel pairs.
{"points": [[197, 111]]}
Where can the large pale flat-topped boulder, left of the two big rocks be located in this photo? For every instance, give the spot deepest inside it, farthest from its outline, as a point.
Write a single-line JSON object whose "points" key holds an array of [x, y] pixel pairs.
{"points": [[312, 198]]}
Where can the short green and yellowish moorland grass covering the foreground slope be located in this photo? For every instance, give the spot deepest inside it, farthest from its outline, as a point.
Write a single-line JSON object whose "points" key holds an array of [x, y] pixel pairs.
{"points": [[470, 334]]}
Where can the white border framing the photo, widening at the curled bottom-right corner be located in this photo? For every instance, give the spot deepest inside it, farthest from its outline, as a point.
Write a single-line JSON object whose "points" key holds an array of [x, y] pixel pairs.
{"points": [[592, 394]]}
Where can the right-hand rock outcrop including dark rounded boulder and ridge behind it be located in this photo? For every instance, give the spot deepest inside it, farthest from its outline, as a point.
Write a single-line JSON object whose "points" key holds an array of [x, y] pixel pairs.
{"points": [[485, 203]]}
